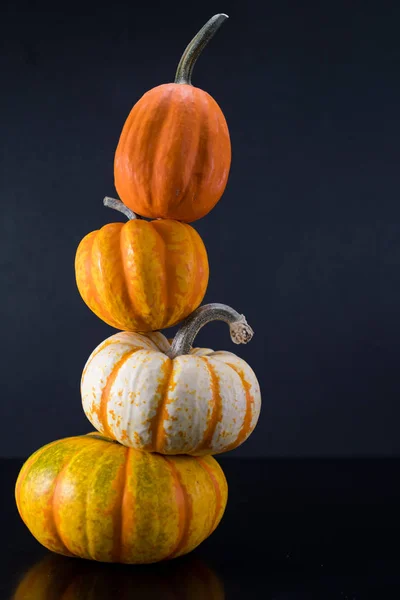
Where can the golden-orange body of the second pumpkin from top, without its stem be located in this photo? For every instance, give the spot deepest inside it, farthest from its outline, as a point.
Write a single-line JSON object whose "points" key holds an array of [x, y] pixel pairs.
{"points": [[140, 275]]}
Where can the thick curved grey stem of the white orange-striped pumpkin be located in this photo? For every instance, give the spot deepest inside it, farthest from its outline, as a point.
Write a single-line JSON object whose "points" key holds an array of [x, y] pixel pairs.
{"points": [[240, 330]]}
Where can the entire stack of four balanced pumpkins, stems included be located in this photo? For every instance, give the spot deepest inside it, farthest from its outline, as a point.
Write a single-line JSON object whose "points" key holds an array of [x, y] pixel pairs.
{"points": [[145, 487]]}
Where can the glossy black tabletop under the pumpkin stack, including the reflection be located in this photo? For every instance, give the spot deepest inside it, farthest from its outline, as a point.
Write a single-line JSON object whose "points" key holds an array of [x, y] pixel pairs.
{"points": [[293, 529]]}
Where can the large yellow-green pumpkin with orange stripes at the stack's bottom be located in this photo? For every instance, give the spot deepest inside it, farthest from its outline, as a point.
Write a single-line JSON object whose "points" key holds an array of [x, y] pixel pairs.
{"points": [[89, 497]]}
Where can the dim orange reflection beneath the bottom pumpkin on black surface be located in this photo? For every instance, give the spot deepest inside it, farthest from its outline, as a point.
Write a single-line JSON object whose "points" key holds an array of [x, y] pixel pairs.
{"points": [[60, 578]]}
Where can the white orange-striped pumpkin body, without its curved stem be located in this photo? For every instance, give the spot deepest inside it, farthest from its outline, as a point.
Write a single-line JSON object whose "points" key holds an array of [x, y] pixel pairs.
{"points": [[200, 403]]}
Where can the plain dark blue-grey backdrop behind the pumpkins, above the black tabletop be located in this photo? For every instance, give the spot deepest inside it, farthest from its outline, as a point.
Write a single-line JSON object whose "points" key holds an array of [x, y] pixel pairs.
{"points": [[305, 241]]}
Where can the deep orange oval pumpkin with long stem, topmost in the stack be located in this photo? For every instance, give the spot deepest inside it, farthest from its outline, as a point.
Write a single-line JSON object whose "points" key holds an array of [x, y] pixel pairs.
{"points": [[174, 154]]}
